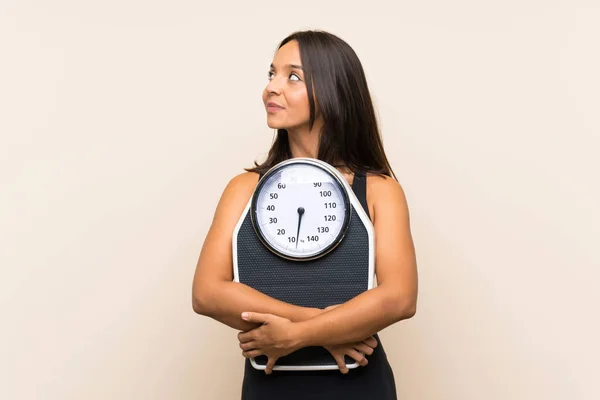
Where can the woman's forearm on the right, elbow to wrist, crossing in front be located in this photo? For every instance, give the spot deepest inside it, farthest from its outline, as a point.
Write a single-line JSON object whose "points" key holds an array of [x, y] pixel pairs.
{"points": [[361, 317]]}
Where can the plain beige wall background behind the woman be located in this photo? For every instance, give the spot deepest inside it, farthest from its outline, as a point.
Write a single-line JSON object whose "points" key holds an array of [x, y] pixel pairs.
{"points": [[122, 121]]}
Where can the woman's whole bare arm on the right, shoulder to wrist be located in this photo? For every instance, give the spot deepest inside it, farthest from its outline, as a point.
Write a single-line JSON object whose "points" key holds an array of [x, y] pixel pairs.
{"points": [[395, 297]]}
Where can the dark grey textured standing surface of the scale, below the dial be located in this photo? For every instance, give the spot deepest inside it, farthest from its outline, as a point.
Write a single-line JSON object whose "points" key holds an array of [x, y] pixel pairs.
{"points": [[331, 279]]}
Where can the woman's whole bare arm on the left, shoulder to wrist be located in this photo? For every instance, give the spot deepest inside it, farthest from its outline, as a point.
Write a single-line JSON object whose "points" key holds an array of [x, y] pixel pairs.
{"points": [[214, 294]]}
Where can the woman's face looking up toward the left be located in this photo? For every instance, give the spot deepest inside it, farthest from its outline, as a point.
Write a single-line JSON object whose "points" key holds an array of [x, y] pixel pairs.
{"points": [[285, 97]]}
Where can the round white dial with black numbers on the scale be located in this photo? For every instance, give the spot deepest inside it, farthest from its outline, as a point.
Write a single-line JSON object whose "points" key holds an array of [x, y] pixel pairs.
{"points": [[301, 210]]}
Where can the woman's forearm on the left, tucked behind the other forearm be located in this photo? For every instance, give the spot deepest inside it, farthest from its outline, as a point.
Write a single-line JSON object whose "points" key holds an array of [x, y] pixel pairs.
{"points": [[225, 301]]}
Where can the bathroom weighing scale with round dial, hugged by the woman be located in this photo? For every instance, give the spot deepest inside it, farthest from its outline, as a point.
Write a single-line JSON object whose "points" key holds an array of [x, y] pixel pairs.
{"points": [[304, 238]]}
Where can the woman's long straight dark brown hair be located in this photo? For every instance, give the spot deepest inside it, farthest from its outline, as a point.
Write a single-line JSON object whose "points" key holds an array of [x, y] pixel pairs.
{"points": [[350, 132]]}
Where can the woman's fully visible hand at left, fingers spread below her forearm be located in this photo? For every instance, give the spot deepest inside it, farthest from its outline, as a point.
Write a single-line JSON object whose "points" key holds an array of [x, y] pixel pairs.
{"points": [[275, 338]]}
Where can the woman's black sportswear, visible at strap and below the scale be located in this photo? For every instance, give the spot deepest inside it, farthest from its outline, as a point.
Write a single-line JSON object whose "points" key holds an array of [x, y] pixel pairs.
{"points": [[375, 381]]}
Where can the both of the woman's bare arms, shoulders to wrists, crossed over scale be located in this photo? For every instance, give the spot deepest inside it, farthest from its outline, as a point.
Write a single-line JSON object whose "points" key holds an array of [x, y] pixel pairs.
{"points": [[214, 294]]}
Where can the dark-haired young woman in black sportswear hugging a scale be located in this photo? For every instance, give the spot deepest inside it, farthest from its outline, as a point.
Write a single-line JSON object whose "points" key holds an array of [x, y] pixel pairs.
{"points": [[318, 101]]}
